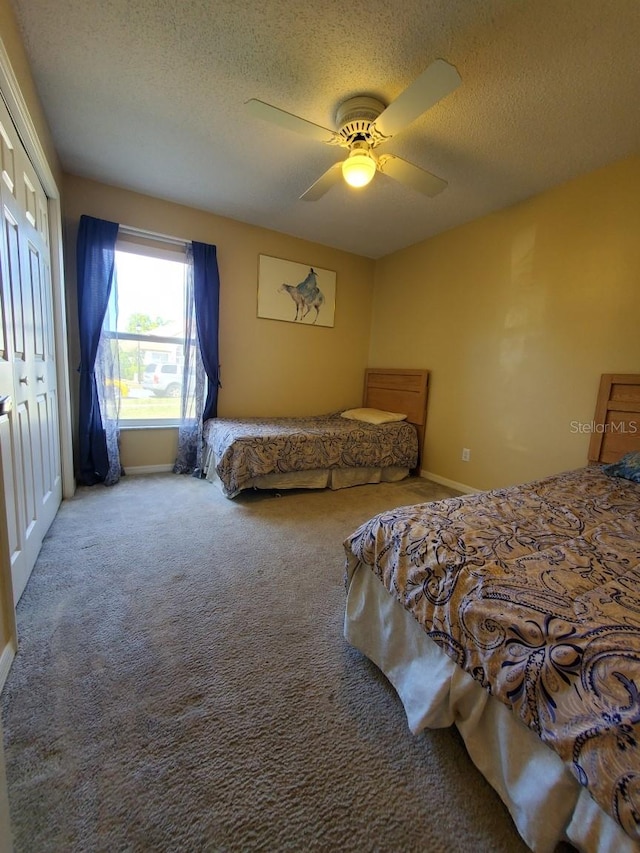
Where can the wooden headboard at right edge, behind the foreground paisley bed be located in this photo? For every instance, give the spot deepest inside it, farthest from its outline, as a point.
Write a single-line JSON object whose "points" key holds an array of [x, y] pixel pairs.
{"points": [[616, 427]]}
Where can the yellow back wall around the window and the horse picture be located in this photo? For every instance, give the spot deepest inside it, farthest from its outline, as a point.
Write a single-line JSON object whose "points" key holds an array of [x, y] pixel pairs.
{"points": [[269, 367]]}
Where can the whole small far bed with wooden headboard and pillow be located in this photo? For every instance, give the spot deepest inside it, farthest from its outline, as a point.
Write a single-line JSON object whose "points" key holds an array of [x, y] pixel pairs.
{"points": [[335, 450]]}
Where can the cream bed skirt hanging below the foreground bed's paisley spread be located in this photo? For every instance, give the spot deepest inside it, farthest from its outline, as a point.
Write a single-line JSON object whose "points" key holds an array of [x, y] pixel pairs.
{"points": [[544, 799]]}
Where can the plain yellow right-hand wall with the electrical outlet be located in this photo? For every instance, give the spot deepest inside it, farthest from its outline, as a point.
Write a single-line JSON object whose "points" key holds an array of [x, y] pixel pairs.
{"points": [[517, 314]]}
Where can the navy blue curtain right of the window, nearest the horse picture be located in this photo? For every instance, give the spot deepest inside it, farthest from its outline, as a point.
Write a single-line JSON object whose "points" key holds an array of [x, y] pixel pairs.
{"points": [[206, 286]]}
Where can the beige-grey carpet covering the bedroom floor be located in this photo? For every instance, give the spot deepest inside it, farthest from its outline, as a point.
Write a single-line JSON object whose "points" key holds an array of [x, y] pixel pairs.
{"points": [[183, 684]]}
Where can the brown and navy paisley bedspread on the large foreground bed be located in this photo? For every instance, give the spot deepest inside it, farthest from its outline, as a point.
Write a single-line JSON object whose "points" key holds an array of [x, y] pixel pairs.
{"points": [[535, 591]]}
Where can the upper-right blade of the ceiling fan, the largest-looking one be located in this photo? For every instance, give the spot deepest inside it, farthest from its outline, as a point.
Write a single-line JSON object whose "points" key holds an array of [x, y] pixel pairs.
{"points": [[435, 82]]}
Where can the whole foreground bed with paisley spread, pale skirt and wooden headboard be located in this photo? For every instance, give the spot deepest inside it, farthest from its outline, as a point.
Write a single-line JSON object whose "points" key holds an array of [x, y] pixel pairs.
{"points": [[515, 614]]}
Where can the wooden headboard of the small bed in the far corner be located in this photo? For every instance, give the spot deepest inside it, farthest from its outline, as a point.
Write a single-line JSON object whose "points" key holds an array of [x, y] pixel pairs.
{"points": [[397, 390]]}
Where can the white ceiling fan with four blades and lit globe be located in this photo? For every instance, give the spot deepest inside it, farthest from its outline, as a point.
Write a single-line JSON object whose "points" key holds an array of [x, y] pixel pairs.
{"points": [[363, 123]]}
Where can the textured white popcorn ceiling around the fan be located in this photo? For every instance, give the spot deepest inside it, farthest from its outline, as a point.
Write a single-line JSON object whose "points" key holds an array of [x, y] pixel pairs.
{"points": [[149, 95]]}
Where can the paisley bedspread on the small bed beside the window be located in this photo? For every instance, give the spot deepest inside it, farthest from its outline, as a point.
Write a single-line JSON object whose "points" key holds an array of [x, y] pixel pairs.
{"points": [[252, 447]]}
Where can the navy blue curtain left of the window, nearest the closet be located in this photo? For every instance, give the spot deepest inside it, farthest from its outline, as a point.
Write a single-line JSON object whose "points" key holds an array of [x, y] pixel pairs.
{"points": [[95, 252]]}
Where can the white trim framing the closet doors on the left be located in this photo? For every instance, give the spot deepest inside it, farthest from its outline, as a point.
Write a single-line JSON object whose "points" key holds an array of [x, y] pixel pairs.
{"points": [[21, 117]]}
